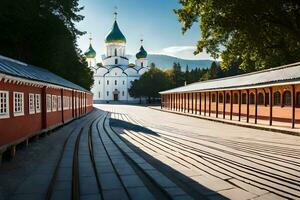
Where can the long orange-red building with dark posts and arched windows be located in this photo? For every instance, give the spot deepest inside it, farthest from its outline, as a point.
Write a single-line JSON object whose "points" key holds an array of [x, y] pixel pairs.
{"points": [[270, 97]]}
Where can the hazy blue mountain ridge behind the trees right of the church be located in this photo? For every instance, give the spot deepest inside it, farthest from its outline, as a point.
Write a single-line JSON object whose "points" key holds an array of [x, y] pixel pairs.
{"points": [[164, 62]]}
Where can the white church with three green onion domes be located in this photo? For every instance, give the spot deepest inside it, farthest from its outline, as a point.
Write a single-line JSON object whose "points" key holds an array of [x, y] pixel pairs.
{"points": [[114, 78]]}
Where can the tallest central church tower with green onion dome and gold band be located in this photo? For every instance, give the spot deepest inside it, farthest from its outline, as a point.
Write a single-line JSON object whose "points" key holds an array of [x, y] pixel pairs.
{"points": [[115, 43]]}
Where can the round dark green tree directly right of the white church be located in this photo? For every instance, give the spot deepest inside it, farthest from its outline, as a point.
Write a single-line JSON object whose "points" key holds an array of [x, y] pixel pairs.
{"points": [[150, 84]]}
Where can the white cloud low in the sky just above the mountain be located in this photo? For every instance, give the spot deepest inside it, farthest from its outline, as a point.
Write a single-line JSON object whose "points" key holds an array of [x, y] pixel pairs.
{"points": [[185, 52]]}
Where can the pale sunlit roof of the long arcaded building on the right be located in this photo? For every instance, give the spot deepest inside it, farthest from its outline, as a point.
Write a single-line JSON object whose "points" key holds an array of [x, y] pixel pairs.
{"points": [[269, 77]]}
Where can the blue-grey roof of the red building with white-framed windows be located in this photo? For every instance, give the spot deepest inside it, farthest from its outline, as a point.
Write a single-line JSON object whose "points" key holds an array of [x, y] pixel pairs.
{"points": [[19, 69]]}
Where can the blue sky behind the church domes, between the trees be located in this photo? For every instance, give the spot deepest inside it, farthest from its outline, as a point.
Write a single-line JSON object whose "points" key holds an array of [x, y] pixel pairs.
{"points": [[152, 20]]}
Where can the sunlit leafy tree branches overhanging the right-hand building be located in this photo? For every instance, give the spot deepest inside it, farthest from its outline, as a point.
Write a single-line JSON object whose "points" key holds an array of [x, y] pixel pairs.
{"points": [[261, 34]]}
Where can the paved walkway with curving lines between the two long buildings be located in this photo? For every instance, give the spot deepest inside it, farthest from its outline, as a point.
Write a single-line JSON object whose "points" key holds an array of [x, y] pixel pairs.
{"points": [[132, 152]]}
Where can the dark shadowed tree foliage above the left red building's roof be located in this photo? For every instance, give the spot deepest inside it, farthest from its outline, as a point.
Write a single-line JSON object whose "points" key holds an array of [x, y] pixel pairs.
{"points": [[43, 33]]}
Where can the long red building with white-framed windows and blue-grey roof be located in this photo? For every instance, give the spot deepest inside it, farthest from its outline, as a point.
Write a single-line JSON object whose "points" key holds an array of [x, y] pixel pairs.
{"points": [[34, 100]]}
